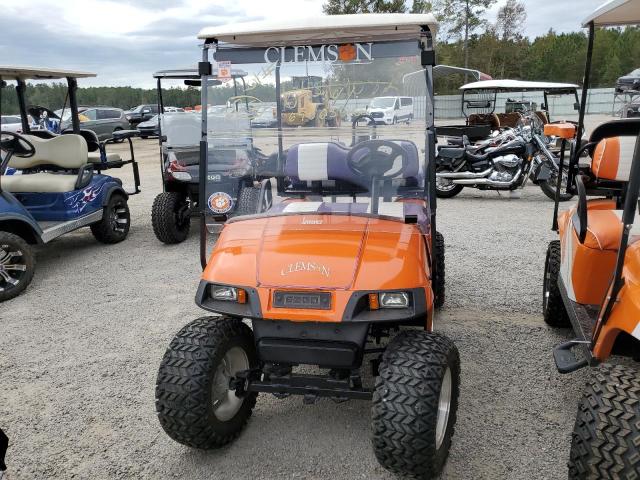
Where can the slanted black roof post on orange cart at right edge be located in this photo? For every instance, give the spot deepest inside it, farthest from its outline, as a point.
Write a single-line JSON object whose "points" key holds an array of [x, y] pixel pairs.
{"points": [[628, 216]]}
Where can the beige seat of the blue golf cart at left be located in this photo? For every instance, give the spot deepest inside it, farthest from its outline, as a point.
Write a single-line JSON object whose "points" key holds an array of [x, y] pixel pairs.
{"points": [[66, 154]]}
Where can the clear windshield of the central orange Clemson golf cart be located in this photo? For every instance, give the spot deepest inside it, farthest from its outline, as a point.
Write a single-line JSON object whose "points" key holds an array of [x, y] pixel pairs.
{"points": [[331, 155]]}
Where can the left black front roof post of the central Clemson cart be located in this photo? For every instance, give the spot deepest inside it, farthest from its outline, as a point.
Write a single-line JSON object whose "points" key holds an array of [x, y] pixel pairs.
{"points": [[205, 70]]}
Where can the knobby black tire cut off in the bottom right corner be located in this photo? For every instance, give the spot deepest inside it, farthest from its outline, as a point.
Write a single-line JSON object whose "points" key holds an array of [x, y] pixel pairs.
{"points": [[606, 436]]}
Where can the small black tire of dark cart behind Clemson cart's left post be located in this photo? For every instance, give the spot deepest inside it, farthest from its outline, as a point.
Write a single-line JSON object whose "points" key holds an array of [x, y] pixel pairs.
{"points": [[168, 227]]}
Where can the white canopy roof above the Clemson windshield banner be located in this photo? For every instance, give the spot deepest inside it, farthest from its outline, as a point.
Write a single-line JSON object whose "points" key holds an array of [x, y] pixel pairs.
{"points": [[323, 29]]}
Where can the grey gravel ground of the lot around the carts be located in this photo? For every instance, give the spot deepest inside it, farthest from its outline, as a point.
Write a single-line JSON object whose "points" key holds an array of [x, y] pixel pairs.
{"points": [[79, 352]]}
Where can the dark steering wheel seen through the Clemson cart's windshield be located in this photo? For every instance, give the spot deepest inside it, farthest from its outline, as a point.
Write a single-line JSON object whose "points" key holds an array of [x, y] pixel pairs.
{"points": [[375, 158]]}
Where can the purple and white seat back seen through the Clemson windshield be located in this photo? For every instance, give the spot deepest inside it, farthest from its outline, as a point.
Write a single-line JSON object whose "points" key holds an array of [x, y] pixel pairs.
{"points": [[326, 162]]}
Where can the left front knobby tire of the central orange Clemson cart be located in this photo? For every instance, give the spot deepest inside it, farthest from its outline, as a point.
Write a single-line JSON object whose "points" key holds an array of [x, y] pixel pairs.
{"points": [[186, 383]]}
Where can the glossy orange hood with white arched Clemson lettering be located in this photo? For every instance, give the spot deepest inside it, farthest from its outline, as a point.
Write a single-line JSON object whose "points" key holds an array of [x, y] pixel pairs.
{"points": [[330, 252]]}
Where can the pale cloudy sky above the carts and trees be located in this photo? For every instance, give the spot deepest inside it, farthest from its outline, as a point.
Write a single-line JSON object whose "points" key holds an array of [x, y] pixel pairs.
{"points": [[125, 41]]}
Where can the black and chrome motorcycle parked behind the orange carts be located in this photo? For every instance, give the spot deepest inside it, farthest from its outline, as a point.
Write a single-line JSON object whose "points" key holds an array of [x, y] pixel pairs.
{"points": [[503, 162]]}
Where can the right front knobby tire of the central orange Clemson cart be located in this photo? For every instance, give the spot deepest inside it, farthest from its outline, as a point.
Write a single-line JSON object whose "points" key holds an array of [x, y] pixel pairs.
{"points": [[406, 402]]}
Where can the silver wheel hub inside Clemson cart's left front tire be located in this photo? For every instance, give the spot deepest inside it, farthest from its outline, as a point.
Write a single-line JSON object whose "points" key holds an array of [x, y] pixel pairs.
{"points": [[225, 401]]}
